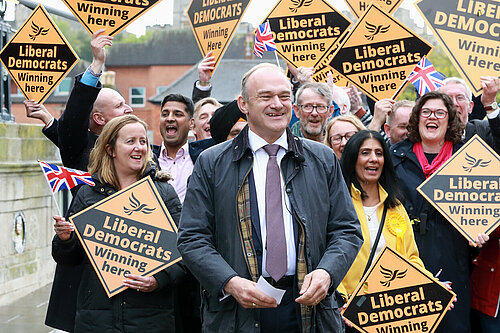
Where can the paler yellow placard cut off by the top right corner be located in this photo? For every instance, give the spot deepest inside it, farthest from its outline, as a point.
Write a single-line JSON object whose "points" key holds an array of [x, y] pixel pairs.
{"points": [[469, 32]]}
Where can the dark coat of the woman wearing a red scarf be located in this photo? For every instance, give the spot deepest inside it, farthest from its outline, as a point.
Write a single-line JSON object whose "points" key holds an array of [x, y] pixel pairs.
{"points": [[440, 245]]}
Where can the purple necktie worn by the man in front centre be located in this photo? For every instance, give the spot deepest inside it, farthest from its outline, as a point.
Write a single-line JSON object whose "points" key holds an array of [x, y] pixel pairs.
{"points": [[276, 263]]}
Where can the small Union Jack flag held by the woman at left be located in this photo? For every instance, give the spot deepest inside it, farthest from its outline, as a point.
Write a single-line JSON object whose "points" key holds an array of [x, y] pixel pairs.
{"points": [[64, 178]]}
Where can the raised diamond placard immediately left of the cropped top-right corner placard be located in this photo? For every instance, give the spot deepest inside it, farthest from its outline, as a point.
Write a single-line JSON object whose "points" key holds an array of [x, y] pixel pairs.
{"points": [[379, 53]]}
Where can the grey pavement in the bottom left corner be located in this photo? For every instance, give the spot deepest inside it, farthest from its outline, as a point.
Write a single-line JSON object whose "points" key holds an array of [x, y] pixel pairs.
{"points": [[27, 315]]}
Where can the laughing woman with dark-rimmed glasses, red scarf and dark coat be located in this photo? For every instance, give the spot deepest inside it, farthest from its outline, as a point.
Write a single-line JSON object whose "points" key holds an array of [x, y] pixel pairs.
{"points": [[434, 134]]}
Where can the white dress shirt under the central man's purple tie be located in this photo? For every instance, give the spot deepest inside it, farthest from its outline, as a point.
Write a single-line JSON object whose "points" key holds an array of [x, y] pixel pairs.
{"points": [[259, 175]]}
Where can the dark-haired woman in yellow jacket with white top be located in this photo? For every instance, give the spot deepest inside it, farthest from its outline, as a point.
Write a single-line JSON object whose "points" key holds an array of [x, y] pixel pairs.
{"points": [[368, 172]]}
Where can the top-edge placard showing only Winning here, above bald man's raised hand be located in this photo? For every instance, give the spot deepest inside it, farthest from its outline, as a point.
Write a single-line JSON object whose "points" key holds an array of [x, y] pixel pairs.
{"points": [[111, 15]]}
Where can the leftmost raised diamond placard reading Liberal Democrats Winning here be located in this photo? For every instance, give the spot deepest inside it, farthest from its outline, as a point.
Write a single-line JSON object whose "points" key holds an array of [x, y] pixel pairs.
{"points": [[38, 56]]}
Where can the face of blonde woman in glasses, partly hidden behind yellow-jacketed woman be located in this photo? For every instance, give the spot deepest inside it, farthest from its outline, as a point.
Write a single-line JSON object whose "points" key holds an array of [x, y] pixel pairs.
{"points": [[339, 130]]}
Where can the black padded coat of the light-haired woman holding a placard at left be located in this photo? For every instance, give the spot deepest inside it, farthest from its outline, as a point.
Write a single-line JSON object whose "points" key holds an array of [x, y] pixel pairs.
{"points": [[130, 310]]}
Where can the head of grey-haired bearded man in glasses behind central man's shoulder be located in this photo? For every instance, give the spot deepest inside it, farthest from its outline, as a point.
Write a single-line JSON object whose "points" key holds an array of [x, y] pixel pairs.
{"points": [[313, 107]]}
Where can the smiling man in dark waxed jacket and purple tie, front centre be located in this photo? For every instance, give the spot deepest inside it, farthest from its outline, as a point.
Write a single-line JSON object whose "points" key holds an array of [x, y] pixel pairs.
{"points": [[231, 232]]}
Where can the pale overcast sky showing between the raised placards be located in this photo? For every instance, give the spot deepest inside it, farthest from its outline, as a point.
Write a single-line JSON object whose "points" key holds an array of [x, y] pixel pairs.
{"points": [[257, 10]]}
